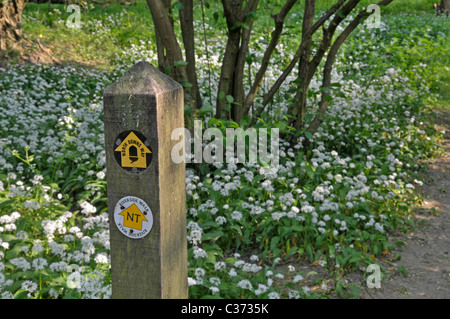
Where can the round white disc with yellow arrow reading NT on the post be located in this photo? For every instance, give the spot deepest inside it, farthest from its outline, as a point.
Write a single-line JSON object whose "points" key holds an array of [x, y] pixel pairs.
{"points": [[133, 217]]}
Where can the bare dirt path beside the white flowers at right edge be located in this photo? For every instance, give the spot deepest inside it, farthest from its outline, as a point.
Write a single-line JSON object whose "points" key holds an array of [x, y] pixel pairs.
{"points": [[424, 268]]}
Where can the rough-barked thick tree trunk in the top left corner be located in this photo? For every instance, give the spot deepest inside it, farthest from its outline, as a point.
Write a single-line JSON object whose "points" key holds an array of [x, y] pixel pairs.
{"points": [[10, 20]]}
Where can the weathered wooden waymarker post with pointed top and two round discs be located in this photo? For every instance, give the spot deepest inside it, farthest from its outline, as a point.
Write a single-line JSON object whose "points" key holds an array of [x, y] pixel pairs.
{"points": [[146, 189]]}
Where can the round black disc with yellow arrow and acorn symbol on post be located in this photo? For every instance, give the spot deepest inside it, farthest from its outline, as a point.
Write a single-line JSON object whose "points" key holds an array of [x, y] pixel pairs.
{"points": [[132, 151]]}
